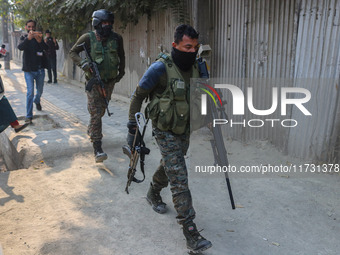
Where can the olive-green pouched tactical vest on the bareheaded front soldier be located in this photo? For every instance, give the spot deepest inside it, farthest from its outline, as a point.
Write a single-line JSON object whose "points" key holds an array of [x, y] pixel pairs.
{"points": [[170, 111]]}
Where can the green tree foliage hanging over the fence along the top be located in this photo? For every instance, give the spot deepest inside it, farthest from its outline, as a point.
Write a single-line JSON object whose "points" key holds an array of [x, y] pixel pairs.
{"points": [[67, 19]]}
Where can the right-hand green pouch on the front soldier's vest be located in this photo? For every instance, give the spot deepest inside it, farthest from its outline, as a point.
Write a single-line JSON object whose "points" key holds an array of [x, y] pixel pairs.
{"points": [[181, 117]]}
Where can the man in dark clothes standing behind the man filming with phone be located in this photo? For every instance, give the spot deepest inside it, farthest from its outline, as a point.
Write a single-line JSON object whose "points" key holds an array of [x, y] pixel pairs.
{"points": [[51, 56]]}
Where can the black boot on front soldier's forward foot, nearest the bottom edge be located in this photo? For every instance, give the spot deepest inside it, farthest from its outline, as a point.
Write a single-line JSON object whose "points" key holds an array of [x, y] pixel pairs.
{"points": [[195, 242]]}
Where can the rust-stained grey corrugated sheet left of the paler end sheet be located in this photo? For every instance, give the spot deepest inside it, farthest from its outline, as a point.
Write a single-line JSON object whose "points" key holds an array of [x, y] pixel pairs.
{"points": [[253, 40]]}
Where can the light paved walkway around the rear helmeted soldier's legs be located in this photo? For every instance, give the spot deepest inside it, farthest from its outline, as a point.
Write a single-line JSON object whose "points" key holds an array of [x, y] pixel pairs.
{"points": [[64, 106]]}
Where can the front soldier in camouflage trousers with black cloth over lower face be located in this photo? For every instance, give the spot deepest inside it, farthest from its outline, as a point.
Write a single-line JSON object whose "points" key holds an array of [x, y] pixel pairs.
{"points": [[167, 83]]}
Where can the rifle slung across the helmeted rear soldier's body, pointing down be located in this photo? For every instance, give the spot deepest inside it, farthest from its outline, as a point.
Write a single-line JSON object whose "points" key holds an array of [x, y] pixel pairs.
{"points": [[96, 78]]}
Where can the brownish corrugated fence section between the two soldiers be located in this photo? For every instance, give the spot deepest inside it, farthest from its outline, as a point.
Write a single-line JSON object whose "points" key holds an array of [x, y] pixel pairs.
{"points": [[142, 43]]}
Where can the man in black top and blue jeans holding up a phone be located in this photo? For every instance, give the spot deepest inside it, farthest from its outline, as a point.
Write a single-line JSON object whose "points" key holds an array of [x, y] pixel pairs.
{"points": [[33, 47]]}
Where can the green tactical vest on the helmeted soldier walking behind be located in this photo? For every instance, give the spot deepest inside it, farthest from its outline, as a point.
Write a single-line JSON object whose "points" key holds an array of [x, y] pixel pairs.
{"points": [[105, 56]]}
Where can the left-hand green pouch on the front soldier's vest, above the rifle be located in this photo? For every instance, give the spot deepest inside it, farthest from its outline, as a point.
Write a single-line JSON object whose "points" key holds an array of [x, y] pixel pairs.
{"points": [[165, 116]]}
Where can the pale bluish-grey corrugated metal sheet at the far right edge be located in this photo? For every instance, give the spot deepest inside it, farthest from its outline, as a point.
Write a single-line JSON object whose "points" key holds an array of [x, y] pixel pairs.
{"points": [[318, 56]]}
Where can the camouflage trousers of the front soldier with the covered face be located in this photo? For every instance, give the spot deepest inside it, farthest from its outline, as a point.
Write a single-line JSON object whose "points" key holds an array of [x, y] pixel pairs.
{"points": [[173, 169]]}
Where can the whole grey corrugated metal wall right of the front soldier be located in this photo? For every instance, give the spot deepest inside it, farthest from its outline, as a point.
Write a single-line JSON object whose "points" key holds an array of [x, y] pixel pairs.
{"points": [[276, 43]]}
